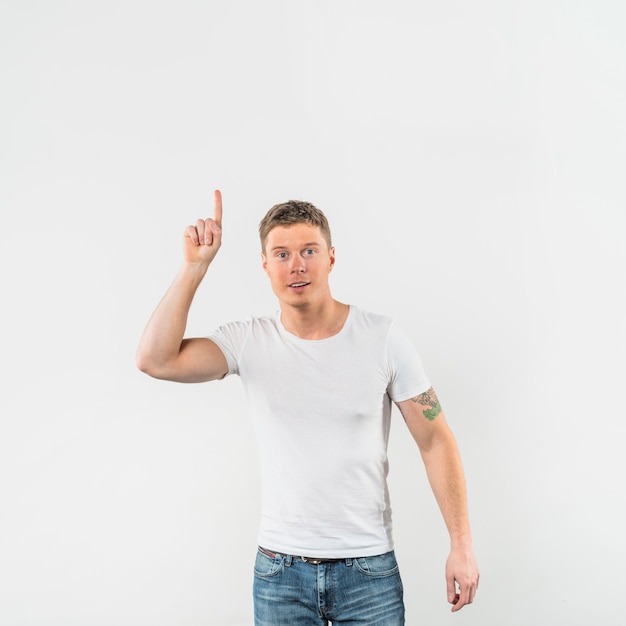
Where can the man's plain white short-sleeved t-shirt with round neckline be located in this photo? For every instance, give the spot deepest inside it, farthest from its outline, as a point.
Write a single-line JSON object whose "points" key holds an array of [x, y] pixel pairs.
{"points": [[322, 410]]}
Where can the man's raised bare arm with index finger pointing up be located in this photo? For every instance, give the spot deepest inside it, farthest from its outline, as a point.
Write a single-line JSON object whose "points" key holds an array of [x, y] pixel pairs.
{"points": [[163, 351]]}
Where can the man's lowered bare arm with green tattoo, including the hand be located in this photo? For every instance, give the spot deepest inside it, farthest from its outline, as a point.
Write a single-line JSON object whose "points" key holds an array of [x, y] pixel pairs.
{"points": [[437, 445]]}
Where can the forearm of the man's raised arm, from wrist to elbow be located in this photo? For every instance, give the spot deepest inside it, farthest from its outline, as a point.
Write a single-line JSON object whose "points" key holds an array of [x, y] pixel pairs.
{"points": [[161, 341]]}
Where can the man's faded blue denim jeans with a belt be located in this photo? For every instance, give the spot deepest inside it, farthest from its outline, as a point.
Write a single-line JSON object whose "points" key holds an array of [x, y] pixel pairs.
{"points": [[364, 591]]}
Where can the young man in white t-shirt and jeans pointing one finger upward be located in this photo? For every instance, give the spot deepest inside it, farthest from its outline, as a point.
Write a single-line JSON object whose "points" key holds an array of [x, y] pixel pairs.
{"points": [[320, 376]]}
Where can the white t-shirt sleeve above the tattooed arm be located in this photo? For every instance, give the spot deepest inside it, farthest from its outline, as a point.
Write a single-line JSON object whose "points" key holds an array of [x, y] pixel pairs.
{"points": [[408, 377]]}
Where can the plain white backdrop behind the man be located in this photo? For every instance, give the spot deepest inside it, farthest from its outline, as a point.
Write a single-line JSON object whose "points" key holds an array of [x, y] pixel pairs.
{"points": [[470, 156]]}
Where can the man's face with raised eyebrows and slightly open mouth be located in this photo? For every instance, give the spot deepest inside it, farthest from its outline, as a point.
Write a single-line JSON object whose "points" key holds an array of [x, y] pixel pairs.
{"points": [[298, 261]]}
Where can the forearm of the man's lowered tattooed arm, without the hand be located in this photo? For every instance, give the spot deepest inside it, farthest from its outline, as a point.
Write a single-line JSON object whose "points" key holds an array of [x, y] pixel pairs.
{"points": [[447, 480]]}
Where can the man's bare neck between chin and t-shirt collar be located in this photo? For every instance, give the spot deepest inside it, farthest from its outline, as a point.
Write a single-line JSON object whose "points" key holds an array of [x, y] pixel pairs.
{"points": [[315, 322]]}
